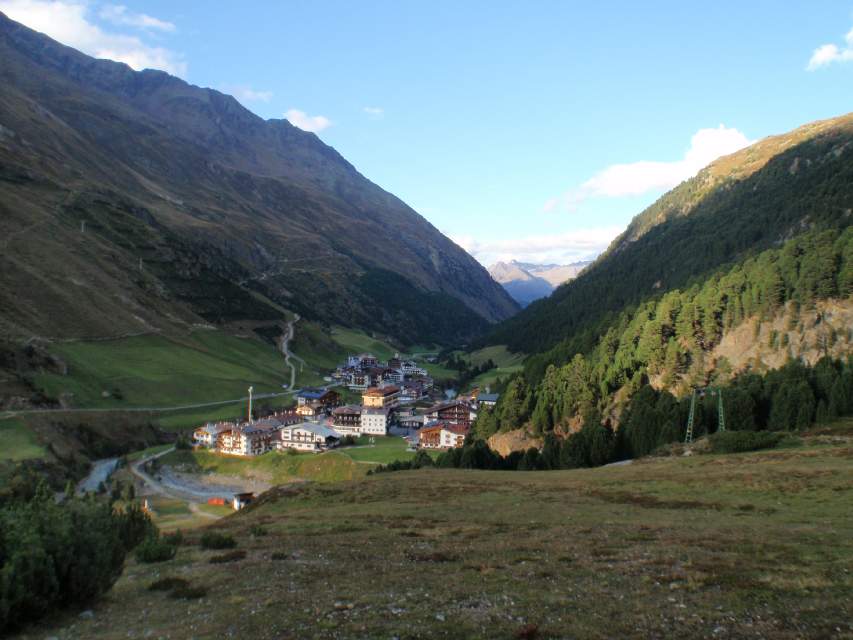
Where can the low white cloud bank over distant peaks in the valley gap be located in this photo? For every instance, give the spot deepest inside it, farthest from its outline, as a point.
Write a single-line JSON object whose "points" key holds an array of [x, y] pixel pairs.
{"points": [[581, 244]]}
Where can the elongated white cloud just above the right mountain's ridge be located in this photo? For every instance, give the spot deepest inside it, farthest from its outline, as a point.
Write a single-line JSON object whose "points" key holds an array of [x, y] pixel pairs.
{"points": [[637, 178]]}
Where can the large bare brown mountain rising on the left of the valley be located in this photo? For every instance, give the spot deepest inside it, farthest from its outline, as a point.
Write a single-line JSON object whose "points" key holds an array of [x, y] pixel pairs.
{"points": [[134, 202]]}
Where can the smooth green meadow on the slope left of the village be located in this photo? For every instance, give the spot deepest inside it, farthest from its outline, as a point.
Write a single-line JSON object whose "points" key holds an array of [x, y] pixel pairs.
{"points": [[159, 371]]}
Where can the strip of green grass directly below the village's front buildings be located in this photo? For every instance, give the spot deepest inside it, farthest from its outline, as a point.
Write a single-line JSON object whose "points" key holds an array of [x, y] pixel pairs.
{"points": [[273, 467]]}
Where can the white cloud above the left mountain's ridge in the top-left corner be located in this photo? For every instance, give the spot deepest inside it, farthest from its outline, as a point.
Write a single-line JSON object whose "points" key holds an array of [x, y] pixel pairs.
{"points": [[67, 21]]}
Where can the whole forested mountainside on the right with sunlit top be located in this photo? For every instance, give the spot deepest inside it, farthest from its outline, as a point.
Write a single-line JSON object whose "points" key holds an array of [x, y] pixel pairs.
{"points": [[740, 278]]}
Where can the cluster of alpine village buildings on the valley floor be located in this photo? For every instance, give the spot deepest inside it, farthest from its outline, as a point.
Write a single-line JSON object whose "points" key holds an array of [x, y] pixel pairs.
{"points": [[398, 398]]}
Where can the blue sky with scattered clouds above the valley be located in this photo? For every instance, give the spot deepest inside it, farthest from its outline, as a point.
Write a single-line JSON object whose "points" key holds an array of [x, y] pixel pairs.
{"points": [[523, 130]]}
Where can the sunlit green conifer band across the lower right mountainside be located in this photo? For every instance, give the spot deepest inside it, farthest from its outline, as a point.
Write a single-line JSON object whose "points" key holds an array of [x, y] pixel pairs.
{"points": [[670, 338]]}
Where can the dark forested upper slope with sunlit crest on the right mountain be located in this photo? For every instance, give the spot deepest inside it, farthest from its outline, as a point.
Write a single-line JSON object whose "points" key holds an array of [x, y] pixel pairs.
{"points": [[738, 206]]}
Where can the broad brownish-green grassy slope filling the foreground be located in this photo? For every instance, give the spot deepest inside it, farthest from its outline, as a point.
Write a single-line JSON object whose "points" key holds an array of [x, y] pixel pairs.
{"points": [[748, 545]]}
